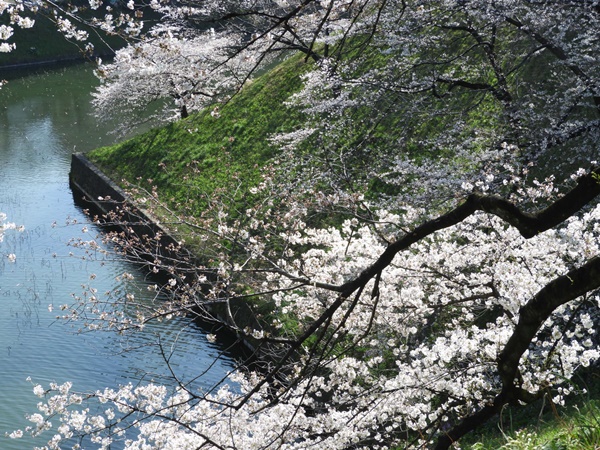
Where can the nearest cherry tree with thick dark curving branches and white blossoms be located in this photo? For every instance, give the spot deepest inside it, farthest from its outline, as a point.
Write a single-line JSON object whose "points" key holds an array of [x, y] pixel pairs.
{"points": [[406, 337]]}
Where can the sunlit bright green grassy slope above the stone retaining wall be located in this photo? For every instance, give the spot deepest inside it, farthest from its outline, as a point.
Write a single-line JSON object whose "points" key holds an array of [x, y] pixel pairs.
{"points": [[201, 152]]}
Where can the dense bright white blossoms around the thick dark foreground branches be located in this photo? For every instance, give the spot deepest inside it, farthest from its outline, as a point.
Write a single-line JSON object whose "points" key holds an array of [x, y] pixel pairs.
{"points": [[429, 333]]}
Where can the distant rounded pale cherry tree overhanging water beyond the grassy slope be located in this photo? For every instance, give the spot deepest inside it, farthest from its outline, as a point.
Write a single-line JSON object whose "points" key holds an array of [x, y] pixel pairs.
{"points": [[192, 71]]}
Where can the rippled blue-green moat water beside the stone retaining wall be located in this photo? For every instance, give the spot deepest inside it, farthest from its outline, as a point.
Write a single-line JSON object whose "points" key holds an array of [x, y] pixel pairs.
{"points": [[43, 119]]}
